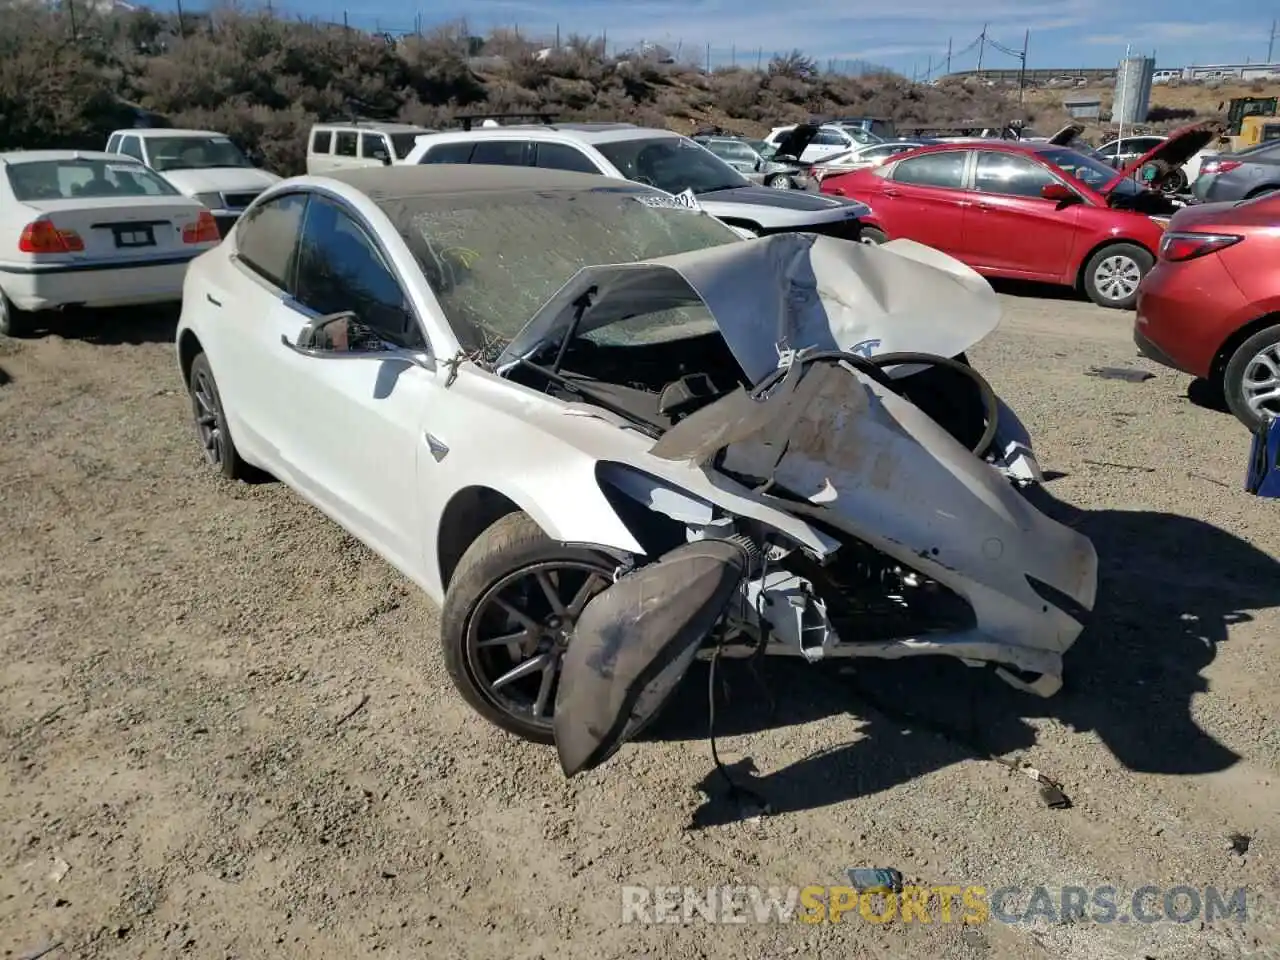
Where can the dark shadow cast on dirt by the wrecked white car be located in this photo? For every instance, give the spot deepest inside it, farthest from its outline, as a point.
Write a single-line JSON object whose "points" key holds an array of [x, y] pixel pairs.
{"points": [[1171, 588]]}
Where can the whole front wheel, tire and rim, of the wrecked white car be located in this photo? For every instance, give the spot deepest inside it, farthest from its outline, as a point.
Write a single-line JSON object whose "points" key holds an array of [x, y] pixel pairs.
{"points": [[508, 619]]}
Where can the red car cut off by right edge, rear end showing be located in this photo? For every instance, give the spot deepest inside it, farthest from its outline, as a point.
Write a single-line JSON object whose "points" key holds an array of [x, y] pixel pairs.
{"points": [[1210, 307]]}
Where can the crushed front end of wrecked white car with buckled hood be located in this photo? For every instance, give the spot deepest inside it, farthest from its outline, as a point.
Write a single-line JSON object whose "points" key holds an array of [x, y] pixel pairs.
{"points": [[903, 464]]}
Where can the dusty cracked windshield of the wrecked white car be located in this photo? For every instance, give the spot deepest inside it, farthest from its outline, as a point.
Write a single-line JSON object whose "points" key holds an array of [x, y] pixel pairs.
{"points": [[495, 259]]}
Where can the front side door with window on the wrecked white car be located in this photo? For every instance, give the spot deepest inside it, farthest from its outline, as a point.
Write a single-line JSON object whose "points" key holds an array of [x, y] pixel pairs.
{"points": [[356, 420]]}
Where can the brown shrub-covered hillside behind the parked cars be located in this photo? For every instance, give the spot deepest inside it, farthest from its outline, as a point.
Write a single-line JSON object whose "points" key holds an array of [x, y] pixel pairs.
{"points": [[68, 81]]}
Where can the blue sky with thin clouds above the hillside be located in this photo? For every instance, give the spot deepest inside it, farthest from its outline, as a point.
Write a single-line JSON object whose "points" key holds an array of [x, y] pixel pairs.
{"points": [[899, 34]]}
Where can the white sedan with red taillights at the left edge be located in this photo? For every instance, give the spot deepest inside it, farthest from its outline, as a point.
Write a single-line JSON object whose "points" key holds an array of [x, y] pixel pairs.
{"points": [[84, 228]]}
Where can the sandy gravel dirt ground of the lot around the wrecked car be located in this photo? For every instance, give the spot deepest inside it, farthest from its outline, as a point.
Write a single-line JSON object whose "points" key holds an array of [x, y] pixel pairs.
{"points": [[227, 730]]}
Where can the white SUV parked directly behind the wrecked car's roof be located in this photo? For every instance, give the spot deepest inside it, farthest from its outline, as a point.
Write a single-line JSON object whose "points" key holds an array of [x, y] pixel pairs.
{"points": [[659, 158]]}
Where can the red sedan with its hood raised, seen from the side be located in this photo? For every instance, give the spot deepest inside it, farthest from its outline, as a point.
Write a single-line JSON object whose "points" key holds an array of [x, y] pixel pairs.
{"points": [[1030, 212]]}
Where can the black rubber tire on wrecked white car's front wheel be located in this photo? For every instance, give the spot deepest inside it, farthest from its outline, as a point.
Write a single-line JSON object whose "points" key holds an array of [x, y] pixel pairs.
{"points": [[513, 545]]}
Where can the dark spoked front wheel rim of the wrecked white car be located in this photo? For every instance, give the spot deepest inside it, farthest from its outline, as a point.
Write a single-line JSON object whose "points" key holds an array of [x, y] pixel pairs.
{"points": [[520, 629]]}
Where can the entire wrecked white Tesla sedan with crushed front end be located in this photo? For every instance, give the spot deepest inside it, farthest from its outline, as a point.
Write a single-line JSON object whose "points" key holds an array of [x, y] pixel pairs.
{"points": [[606, 433]]}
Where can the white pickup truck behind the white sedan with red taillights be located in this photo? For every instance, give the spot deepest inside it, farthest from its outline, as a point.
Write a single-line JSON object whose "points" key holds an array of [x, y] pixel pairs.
{"points": [[204, 166]]}
